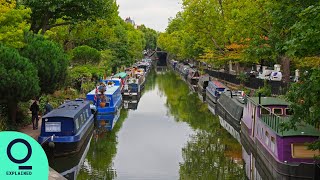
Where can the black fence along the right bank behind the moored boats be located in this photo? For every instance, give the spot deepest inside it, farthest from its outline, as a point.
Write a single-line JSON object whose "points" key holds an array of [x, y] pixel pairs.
{"points": [[277, 87]]}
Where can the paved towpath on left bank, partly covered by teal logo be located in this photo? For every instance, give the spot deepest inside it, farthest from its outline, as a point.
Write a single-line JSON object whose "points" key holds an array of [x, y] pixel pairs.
{"points": [[53, 175]]}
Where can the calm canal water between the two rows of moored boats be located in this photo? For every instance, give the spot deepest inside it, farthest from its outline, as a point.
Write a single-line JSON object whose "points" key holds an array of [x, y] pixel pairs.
{"points": [[171, 135]]}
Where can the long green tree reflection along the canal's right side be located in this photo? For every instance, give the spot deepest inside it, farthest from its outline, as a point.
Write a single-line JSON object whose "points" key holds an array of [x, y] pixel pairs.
{"points": [[211, 152]]}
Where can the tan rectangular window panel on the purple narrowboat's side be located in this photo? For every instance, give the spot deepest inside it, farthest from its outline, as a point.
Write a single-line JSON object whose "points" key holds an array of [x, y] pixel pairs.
{"points": [[302, 151]]}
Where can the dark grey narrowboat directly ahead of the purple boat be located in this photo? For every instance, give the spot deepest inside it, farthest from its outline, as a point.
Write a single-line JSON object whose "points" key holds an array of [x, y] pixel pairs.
{"points": [[229, 109]]}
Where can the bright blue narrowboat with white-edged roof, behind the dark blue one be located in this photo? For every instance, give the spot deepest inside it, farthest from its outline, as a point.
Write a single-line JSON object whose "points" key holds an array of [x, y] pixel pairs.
{"points": [[107, 99]]}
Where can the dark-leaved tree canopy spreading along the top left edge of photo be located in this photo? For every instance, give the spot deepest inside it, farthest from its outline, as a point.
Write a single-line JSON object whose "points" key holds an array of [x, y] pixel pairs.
{"points": [[45, 13]]}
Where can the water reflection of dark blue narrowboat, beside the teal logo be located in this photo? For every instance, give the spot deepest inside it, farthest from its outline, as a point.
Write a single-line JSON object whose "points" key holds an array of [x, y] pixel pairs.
{"points": [[70, 166]]}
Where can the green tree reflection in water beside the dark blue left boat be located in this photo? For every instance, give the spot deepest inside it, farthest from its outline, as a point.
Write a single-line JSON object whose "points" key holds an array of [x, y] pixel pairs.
{"points": [[98, 164]]}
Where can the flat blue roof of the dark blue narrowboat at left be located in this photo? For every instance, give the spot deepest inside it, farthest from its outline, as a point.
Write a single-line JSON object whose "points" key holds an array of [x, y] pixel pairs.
{"points": [[69, 109]]}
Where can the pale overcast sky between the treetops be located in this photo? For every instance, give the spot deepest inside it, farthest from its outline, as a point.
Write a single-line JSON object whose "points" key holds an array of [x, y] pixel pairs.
{"points": [[152, 13]]}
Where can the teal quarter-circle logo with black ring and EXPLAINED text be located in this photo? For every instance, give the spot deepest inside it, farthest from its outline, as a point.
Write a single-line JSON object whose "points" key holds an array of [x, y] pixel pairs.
{"points": [[21, 157]]}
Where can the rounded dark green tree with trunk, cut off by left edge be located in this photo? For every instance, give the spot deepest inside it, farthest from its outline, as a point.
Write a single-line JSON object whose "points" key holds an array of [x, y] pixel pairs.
{"points": [[19, 80]]}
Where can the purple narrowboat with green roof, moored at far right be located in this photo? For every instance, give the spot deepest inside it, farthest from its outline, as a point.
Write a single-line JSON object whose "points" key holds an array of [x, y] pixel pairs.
{"points": [[273, 153]]}
